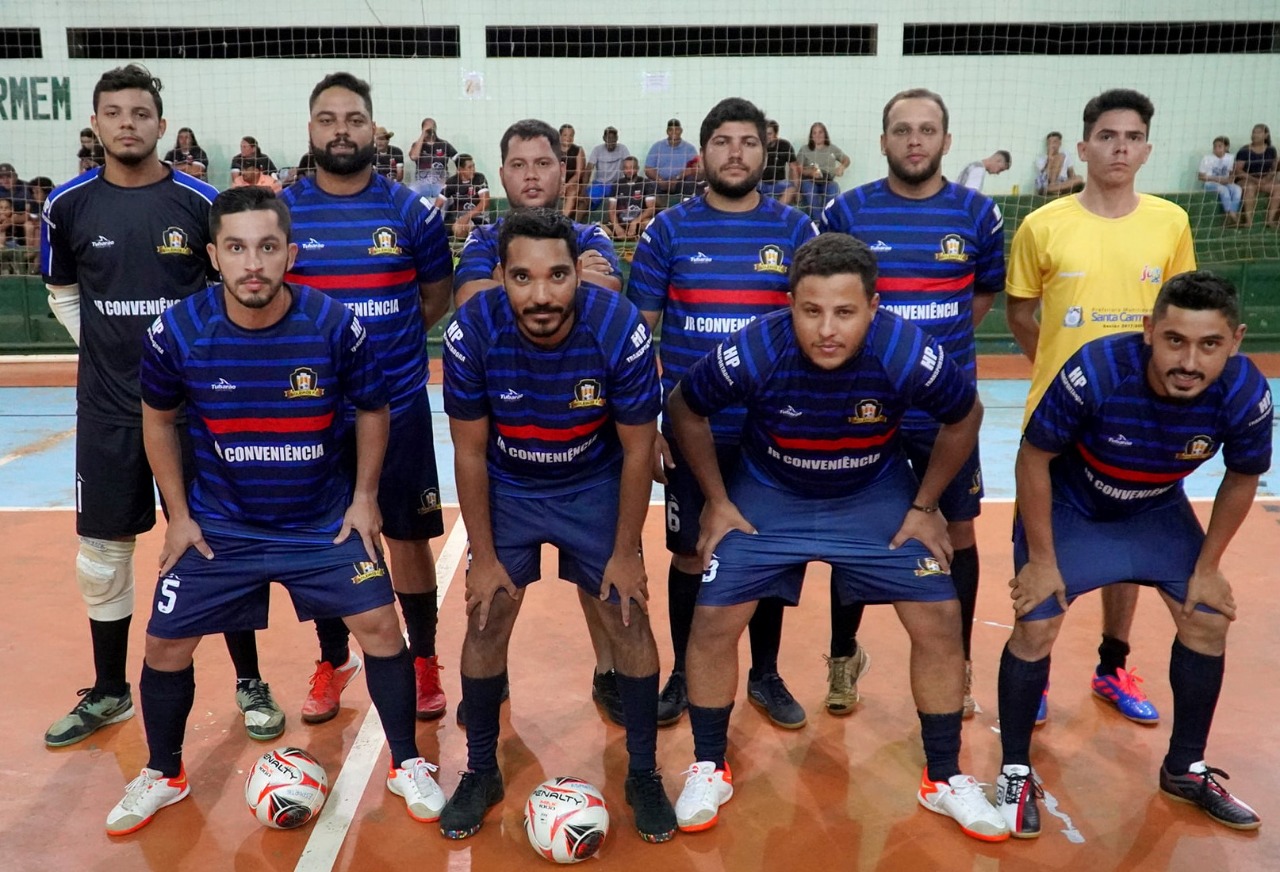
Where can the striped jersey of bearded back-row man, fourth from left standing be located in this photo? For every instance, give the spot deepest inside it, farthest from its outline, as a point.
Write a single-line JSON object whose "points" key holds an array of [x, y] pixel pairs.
{"points": [[710, 273]]}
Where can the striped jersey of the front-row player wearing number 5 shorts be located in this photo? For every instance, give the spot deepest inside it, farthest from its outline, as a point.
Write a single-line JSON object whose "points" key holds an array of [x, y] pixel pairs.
{"points": [[266, 410]]}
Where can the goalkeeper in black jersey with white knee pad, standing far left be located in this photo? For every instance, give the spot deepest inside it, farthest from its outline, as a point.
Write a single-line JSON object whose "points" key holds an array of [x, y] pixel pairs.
{"points": [[129, 241]]}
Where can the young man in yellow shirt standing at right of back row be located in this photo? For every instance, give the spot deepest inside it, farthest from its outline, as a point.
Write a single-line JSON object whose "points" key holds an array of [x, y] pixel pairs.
{"points": [[1094, 264]]}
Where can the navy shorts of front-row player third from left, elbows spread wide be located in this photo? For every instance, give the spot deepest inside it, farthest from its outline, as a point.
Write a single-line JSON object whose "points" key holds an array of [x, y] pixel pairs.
{"points": [[849, 533]]}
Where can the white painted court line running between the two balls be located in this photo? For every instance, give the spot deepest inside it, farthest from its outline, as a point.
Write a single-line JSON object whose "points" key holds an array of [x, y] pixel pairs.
{"points": [[340, 811]]}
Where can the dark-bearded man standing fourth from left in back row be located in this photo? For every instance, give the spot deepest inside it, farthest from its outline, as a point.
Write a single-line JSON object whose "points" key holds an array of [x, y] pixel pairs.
{"points": [[706, 268]]}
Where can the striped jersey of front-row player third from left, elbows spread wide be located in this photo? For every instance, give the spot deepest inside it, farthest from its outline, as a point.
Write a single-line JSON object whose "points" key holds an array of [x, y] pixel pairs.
{"points": [[825, 433]]}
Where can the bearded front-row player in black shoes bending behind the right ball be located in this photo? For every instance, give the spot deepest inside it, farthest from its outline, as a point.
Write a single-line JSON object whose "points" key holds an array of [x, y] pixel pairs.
{"points": [[554, 400]]}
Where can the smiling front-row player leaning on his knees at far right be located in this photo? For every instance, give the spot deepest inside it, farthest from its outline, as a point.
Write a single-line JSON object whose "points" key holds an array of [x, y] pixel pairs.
{"points": [[1101, 501]]}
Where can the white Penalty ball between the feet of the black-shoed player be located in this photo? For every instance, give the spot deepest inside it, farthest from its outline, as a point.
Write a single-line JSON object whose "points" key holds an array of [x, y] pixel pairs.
{"points": [[566, 820]]}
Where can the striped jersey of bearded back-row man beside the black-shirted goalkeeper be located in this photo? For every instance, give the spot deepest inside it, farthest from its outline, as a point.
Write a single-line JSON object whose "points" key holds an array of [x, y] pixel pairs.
{"points": [[371, 252]]}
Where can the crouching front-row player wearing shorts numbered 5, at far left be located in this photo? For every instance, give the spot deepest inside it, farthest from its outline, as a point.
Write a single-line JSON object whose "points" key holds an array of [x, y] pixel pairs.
{"points": [[281, 490]]}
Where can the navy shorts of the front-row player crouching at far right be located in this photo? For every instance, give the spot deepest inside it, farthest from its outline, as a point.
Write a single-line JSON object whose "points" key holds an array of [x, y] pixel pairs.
{"points": [[1156, 549]]}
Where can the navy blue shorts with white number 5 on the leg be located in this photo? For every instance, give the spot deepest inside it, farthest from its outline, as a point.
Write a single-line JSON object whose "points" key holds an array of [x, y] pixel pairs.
{"points": [[232, 592]]}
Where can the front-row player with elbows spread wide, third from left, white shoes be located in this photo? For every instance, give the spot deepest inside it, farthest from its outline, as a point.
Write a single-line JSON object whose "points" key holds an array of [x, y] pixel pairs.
{"points": [[824, 478]]}
